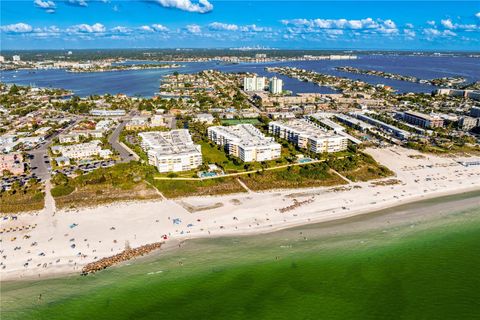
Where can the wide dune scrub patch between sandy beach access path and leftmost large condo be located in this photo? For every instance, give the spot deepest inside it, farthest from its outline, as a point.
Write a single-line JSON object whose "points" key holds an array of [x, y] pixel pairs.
{"points": [[124, 181]]}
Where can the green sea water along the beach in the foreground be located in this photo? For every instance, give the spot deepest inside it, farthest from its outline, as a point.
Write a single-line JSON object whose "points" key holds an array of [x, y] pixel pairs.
{"points": [[429, 272]]}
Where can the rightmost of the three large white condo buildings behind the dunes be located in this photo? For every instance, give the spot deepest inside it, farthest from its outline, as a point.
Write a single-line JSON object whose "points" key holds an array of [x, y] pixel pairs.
{"points": [[308, 135]]}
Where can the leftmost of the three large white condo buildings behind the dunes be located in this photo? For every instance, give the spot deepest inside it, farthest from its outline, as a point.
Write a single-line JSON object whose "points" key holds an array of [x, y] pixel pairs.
{"points": [[171, 151]]}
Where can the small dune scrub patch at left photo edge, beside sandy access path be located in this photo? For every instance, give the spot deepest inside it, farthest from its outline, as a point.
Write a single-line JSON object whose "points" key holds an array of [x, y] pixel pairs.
{"points": [[22, 198]]}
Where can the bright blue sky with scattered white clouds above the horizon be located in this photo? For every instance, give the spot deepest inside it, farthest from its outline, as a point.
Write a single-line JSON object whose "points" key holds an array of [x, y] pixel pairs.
{"points": [[75, 24]]}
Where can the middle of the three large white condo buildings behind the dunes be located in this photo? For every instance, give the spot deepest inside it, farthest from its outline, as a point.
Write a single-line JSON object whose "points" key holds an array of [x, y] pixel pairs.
{"points": [[246, 142]]}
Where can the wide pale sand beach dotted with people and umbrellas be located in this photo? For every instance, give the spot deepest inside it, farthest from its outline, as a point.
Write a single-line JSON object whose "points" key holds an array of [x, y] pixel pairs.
{"points": [[64, 241]]}
